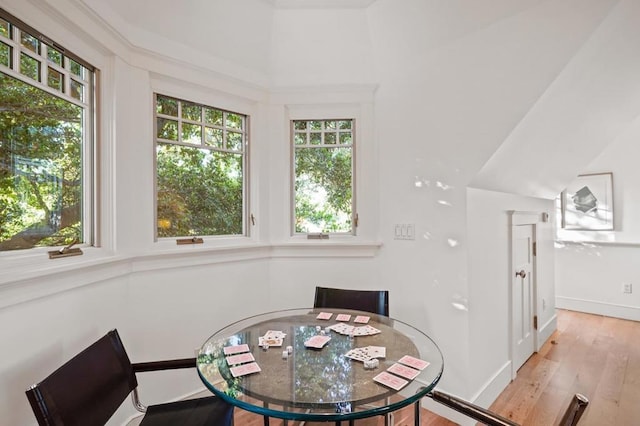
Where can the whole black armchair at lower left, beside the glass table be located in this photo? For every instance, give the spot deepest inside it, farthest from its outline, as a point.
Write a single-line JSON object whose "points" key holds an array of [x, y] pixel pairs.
{"points": [[88, 389]]}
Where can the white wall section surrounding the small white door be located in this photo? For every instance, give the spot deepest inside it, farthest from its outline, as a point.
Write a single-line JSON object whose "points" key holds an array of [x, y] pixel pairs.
{"points": [[490, 278]]}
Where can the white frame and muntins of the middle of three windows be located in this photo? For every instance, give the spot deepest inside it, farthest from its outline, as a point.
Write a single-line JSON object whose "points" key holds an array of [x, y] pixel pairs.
{"points": [[185, 97]]}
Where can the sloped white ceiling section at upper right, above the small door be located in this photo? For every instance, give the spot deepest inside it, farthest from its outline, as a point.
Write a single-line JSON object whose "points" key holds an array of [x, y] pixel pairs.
{"points": [[592, 102]]}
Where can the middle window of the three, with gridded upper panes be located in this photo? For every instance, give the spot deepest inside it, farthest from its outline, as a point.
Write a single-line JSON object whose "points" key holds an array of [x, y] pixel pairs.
{"points": [[201, 166]]}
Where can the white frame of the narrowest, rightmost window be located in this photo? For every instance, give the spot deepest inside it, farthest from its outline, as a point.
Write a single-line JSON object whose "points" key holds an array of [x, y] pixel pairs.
{"points": [[353, 147]]}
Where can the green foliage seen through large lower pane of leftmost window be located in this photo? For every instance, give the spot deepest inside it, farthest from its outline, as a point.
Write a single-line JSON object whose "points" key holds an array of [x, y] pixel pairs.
{"points": [[40, 167]]}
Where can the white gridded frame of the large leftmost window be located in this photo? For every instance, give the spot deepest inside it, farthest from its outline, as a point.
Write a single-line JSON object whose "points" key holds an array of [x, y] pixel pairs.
{"points": [[89, 105]]}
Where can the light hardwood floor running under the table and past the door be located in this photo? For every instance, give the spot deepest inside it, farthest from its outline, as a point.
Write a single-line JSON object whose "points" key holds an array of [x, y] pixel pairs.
{"points": [[596, 356]]}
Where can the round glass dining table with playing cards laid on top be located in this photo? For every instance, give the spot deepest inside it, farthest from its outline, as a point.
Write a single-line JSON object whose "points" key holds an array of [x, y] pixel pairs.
{"points": [[320, 365]]}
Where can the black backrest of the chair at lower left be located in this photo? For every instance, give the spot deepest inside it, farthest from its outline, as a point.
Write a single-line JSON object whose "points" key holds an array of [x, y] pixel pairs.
{"points": [[88, 388]]}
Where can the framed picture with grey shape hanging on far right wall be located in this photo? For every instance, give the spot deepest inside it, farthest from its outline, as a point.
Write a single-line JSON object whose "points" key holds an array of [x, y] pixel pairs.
{"points": [[587, 203]]}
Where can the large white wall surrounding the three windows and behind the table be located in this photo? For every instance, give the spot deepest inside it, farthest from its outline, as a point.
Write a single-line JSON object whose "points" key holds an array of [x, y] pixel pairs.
{"points": [[448, 93]]}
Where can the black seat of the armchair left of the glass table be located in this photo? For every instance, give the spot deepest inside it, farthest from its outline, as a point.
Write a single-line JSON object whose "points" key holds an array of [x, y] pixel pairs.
{"points": [[201, 411]]}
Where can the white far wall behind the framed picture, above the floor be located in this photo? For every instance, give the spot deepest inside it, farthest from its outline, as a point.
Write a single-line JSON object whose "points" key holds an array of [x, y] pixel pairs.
{"points": [[594, 265]]}
